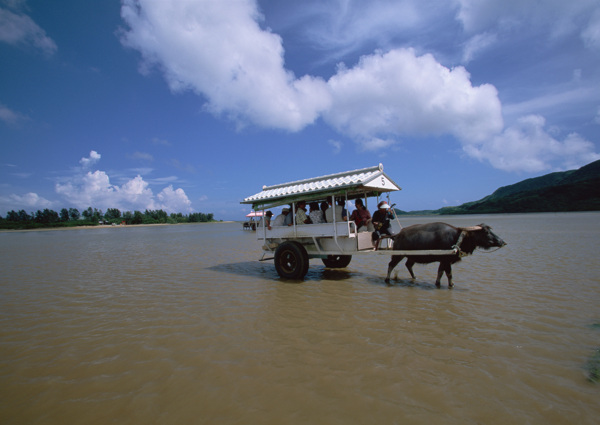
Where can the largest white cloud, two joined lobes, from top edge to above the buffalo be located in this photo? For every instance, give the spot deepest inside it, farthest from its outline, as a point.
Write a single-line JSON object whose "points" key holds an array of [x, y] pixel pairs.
{"points": [[242, 73]]}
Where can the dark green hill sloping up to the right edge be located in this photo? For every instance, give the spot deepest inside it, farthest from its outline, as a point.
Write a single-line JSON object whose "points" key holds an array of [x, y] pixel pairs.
{"points": [[575, 190]]}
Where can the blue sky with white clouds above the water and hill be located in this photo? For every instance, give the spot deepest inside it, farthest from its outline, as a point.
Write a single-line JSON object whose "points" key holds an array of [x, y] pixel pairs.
{"points": [[192, 105]]}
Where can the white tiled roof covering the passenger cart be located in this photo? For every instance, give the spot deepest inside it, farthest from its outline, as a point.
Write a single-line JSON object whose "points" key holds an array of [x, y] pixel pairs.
{"points": [[365, 178]]}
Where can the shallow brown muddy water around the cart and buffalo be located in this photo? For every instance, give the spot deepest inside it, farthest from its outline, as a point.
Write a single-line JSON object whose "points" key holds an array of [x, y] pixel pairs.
{"points": [[181, 324]]}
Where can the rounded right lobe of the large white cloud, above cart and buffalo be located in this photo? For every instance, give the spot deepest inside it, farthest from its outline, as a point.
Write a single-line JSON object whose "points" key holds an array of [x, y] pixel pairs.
{"points": [[400, 93]]}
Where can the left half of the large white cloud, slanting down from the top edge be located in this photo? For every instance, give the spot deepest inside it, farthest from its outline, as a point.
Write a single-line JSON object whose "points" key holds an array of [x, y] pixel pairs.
{"points": [[218, 50]]}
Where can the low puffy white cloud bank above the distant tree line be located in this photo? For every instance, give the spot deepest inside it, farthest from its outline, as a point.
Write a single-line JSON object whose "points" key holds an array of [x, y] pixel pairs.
{"points": [[95, 189]]}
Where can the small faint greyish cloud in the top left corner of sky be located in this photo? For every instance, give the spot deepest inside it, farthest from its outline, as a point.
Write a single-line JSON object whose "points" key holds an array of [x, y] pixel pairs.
{"points": [[18, 29]]}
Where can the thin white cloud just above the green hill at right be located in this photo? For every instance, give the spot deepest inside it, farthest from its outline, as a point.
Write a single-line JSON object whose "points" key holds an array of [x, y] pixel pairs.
{"points": [[527, 146]]}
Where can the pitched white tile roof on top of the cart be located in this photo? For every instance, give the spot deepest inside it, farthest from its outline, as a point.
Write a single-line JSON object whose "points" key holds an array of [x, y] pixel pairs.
{"points": [[356, 184]]}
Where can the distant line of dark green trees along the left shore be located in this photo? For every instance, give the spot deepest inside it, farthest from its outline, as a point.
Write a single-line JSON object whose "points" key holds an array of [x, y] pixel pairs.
{"points": [[93, 216]]}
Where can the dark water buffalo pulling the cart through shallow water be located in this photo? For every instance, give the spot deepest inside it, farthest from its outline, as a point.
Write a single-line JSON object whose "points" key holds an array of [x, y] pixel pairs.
{"points": [[441, 236]]}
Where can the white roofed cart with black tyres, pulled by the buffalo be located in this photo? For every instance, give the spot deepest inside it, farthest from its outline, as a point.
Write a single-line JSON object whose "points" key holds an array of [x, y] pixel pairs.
{"points": [[292, 246]]}
